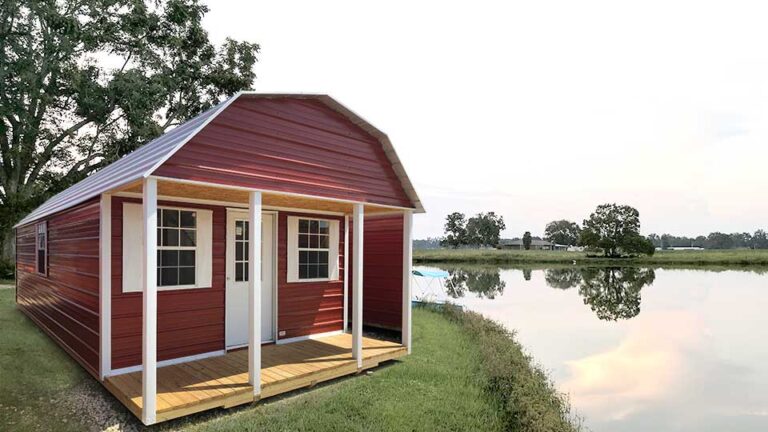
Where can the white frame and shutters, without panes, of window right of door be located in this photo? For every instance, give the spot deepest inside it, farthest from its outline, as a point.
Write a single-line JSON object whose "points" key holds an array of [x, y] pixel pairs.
{"points": [[293, 249]]}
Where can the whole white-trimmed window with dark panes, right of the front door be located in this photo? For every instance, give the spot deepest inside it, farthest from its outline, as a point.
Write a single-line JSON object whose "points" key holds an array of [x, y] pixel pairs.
{"points": [[313, 249]]}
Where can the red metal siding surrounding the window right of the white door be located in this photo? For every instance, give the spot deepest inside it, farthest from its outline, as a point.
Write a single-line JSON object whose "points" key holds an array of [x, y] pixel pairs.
{"points": [[306, 308]]}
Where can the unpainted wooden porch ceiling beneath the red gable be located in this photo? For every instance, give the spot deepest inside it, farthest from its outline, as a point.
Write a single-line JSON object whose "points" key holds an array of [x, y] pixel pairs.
{"points": [[269, 199]]}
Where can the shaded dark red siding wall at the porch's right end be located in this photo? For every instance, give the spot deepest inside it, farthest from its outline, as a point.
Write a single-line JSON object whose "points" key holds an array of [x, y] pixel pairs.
{"points": [[382, 271]]}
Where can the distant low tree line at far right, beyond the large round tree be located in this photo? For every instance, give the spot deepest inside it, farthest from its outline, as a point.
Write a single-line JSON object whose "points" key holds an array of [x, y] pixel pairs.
{"points": [[715, 240]]}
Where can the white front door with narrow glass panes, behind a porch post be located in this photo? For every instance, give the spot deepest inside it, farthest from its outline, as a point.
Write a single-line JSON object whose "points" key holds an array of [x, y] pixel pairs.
{"points": [[237, 278]]}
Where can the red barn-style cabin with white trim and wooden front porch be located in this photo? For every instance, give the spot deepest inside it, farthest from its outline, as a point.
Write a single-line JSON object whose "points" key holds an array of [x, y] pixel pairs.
{"points": [[236, 257]]}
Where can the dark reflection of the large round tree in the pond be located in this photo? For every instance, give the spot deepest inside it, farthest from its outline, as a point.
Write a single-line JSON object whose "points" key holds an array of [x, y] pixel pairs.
{"points": [[614, 293]]}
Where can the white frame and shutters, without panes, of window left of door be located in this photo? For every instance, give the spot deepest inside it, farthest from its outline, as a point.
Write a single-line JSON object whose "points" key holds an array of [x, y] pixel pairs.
{"points": [[133, 243]]}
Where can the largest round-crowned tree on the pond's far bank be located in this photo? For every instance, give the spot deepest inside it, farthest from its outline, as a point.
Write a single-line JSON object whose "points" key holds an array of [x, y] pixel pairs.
{"points": [[615, 229]]}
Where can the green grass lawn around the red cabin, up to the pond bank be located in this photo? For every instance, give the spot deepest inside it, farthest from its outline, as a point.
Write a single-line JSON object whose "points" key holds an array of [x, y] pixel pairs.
{"points": [[439, 387]]}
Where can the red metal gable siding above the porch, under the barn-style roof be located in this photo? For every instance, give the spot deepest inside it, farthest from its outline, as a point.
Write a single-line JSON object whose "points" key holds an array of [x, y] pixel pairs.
{"points": [[289, 145]]}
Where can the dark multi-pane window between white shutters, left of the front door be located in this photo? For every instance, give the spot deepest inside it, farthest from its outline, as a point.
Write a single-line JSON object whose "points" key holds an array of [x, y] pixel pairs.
{"points": [[176, 247]]}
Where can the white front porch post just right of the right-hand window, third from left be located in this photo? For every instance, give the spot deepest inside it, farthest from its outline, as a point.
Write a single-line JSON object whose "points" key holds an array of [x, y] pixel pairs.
{"points": [[357, 286]]}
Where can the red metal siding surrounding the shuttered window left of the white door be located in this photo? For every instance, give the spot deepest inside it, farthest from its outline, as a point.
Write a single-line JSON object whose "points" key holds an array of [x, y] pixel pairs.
{"points": [[189, 321]]}
